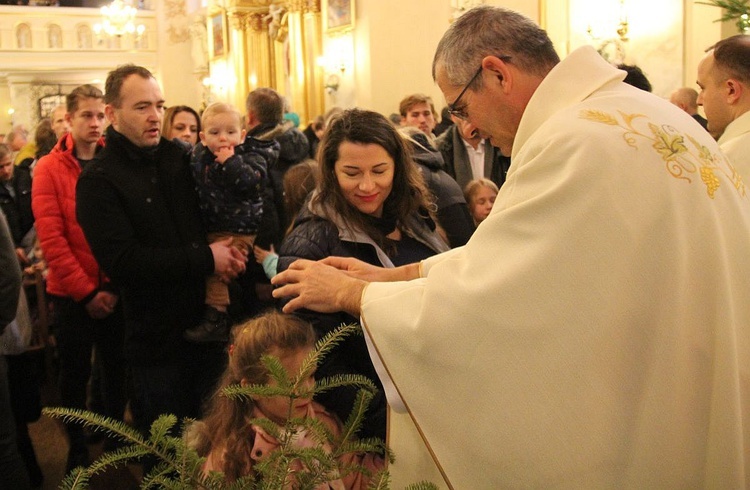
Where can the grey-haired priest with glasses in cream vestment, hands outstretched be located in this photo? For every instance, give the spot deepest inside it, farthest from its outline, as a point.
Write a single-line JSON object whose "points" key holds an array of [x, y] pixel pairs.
{"points": [[593, 333]]}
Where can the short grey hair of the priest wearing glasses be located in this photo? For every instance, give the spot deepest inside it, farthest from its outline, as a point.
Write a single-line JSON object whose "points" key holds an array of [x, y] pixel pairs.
{"points": [[485, 31]]}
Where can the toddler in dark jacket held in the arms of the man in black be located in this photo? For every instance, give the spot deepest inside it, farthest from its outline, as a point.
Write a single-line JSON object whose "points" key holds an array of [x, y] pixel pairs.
{"points": [[230, 177]]}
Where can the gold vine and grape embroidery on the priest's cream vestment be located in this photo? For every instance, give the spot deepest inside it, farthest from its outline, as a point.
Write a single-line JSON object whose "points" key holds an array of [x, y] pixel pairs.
{"points": [[681, 160]]}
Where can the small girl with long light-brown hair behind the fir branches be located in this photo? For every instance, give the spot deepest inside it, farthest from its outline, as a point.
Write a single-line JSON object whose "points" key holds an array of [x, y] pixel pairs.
{"points": [[226, 436]]}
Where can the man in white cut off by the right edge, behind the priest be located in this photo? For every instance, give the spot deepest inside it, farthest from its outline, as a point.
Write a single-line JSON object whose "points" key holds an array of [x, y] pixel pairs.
{"points": [[724, 79]]}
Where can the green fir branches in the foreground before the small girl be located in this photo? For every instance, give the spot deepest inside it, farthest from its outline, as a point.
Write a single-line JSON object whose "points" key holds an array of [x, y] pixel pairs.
{"points": [[179, 467]]}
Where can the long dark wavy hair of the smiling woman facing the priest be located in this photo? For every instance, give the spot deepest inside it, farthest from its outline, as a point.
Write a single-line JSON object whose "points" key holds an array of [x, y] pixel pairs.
{"points": [[408, 194]]}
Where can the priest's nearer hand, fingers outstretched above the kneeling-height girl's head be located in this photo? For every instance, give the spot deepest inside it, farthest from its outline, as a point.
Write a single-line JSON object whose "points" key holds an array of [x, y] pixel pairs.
{"points": [[318, 287]]}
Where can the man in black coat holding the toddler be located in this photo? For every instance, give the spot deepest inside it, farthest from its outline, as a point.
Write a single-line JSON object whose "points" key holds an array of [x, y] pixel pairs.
{"points": [[138, 208]]}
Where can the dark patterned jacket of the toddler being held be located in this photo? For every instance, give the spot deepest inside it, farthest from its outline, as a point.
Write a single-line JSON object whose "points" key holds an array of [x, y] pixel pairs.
{"points": [[231, 195]]}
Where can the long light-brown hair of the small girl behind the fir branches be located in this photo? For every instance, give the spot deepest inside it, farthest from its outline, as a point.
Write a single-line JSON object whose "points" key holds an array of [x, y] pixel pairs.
{"points": [[226, 425]]}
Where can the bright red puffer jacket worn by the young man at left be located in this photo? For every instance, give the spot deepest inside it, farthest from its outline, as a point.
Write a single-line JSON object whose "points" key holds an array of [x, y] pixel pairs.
{"points": [[73, 271]]}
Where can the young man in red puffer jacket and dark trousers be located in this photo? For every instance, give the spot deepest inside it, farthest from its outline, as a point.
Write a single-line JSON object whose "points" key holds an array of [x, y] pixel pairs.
{"points": [[86, 308]]}
